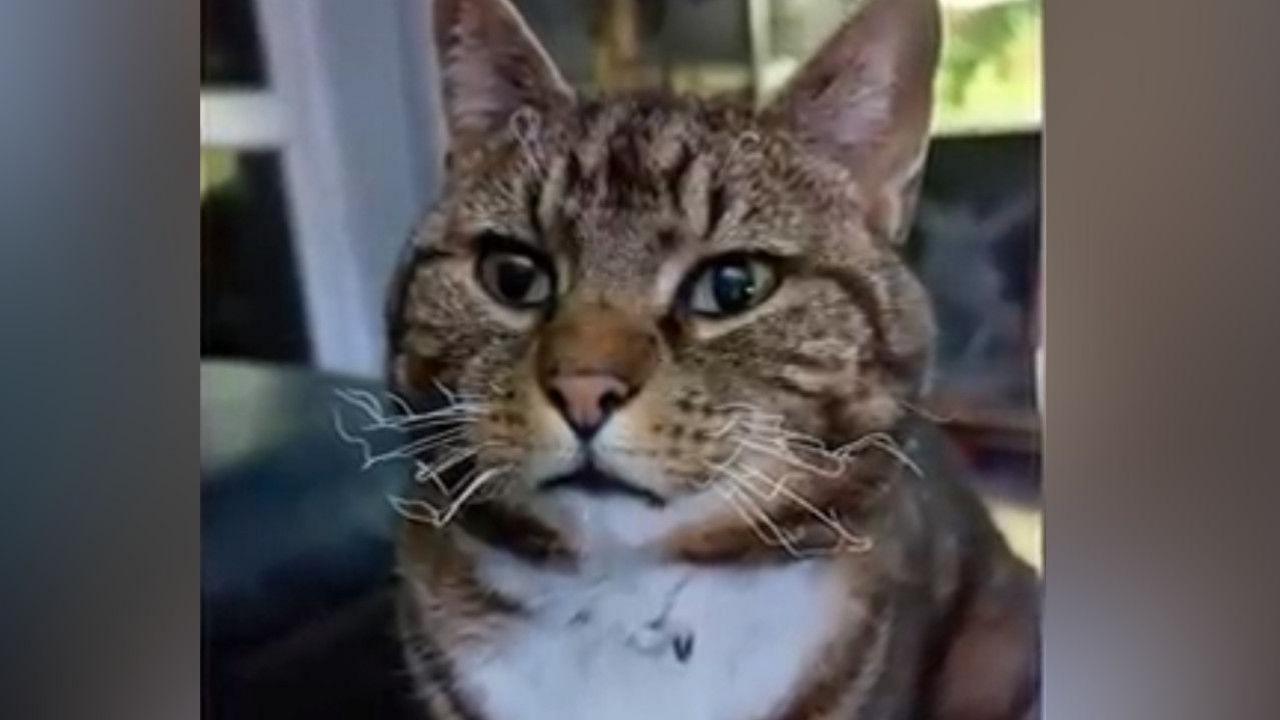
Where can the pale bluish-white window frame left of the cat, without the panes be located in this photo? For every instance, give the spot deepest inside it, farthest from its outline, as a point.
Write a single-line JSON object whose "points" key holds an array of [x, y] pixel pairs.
{"points": [[349, 108]]}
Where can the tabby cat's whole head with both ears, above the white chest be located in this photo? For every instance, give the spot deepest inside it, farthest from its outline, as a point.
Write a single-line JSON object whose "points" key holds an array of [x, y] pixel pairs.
{"points": [[666, 290]]}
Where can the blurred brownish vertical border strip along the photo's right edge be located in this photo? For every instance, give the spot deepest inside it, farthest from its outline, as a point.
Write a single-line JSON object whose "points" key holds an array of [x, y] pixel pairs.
{"points": [[1163, 248]]}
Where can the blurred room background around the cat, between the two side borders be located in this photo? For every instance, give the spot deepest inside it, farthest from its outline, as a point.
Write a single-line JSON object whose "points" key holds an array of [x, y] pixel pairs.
{"points": [[321, 147]]}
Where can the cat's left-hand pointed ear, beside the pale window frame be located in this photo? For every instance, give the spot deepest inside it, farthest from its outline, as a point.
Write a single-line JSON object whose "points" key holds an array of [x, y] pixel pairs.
{"points": [[491, 66]]}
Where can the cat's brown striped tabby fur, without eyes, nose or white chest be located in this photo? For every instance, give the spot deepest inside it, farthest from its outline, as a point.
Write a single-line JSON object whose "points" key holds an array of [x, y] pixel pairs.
{"points": [[628, 195]]}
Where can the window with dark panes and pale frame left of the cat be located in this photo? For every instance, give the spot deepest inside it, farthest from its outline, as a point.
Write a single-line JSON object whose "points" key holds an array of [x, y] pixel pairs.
{"points": [[318, 154]]}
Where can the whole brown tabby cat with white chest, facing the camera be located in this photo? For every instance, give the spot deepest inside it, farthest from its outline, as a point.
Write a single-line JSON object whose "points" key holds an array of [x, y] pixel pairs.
{"points": [[666, 350]]}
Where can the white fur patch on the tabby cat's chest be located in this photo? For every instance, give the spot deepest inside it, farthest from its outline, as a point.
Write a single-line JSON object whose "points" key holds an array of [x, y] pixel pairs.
{"points": [[648, 642]]}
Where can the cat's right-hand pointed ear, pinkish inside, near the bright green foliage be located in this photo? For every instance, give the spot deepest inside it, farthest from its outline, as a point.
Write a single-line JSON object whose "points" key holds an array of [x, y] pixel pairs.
{"points": [[866, 101]]}
